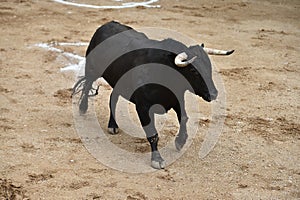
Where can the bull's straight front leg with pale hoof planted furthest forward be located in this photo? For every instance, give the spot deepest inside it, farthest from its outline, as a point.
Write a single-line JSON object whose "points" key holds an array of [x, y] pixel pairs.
{"points": [[147, 121]]}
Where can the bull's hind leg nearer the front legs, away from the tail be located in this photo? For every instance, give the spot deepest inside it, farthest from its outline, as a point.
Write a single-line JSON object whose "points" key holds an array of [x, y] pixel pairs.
{"points": [[113, 127]]}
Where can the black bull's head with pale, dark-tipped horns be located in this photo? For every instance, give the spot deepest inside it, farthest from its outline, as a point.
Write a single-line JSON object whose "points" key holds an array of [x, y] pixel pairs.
{"points": [[198, 69]]}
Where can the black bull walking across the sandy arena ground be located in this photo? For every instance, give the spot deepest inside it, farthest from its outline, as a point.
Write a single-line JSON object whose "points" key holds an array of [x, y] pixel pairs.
{"points": [[144, 72]]}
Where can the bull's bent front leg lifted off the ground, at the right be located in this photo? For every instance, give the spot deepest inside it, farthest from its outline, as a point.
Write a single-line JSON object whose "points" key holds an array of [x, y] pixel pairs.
{"points": [[182, 135]]}
